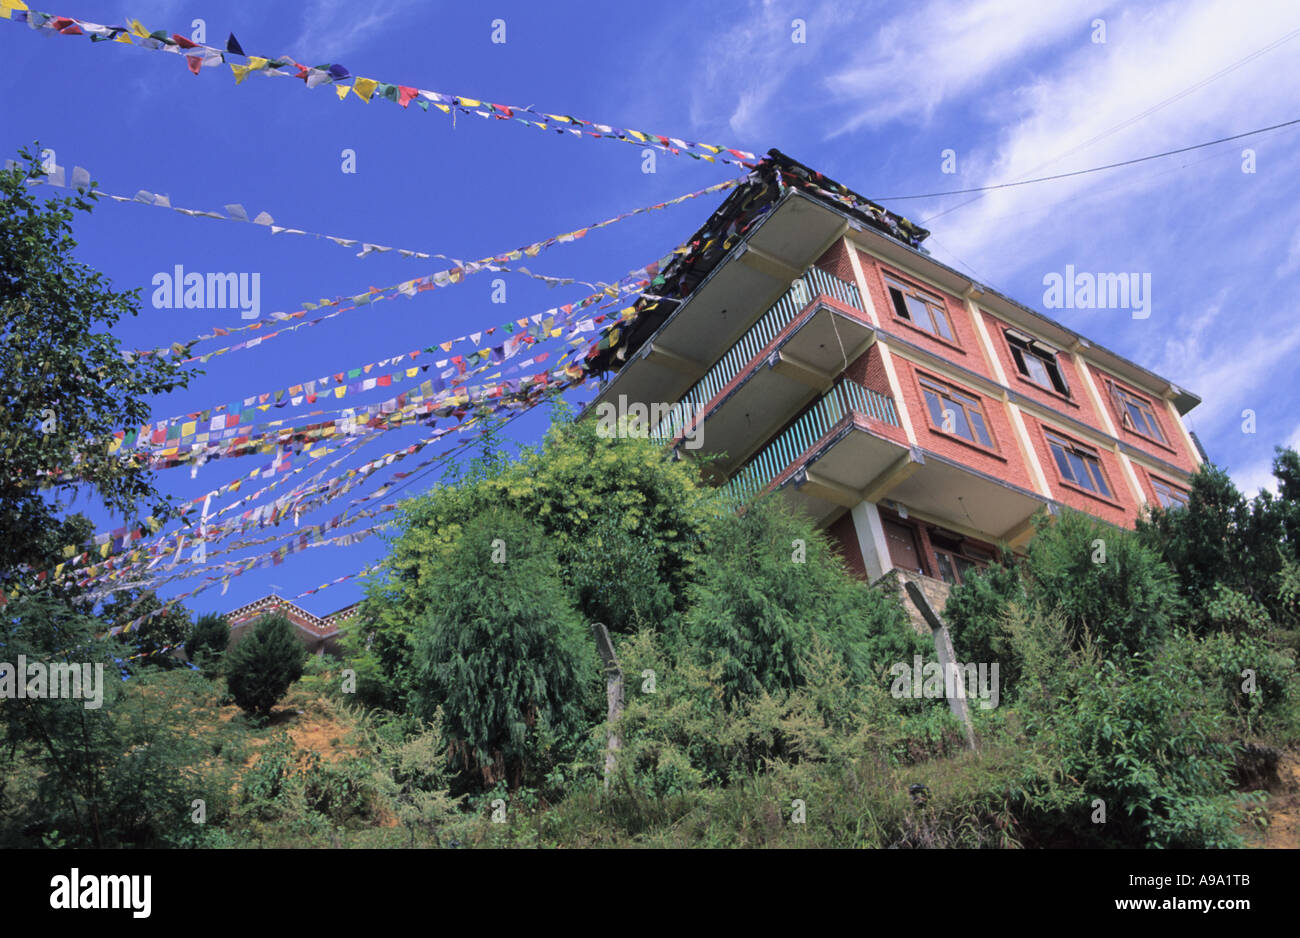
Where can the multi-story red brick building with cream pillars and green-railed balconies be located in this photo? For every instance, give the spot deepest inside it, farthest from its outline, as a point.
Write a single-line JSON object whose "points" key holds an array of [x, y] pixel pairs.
{"points": [[816, 349]]}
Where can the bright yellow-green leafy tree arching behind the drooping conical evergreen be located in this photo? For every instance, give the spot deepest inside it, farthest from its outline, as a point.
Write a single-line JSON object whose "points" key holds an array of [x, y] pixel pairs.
{"points": [[626, 523]]}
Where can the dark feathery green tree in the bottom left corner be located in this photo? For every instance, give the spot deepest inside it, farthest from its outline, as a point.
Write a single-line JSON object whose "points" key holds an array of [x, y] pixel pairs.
{"points": [[112, 775]]}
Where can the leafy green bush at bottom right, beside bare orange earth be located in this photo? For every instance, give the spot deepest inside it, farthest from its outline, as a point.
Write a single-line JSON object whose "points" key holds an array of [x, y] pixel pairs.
{"points": [[1139, 735]]}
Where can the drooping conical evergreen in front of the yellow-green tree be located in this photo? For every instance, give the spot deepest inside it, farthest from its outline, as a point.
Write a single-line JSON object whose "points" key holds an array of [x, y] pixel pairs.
{"points": [[502, 652]]}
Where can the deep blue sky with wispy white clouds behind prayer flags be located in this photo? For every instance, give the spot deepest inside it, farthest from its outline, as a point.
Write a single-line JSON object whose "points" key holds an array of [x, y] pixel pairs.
{"points": [[873, 98]]}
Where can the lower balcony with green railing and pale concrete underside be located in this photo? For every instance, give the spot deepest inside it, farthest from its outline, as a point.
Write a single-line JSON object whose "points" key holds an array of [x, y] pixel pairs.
{"points": [[844, 433]]}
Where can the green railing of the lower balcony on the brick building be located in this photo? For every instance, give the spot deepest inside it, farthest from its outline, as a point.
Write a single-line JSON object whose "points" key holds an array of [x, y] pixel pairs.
{"points": [[844, 398]]}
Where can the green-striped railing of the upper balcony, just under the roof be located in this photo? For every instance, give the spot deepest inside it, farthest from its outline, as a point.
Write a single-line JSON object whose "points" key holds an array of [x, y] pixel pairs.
{"points": [[814, 283]]}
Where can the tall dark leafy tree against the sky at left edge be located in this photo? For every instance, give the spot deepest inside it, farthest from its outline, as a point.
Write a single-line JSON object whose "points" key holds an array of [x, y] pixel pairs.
{"points": [[64, 385]]}
